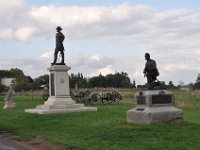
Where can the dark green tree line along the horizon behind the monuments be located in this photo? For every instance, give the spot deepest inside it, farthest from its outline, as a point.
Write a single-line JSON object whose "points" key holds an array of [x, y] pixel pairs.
{"points": [[116, 80]]}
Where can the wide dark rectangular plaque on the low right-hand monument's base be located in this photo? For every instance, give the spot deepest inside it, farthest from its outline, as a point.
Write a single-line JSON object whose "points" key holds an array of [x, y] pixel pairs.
{"points": [[161, 99]]}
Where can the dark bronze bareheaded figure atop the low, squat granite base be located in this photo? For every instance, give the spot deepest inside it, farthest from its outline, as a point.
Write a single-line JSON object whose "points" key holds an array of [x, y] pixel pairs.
{"points": [[150, 70]]}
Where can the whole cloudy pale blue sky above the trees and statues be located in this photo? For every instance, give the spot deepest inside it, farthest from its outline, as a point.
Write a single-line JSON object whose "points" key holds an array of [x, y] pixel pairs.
{"points": [[103, 36]]}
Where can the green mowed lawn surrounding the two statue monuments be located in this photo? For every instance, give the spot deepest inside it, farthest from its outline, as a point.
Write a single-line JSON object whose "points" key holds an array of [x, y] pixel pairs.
{"points": [[105, 129]]}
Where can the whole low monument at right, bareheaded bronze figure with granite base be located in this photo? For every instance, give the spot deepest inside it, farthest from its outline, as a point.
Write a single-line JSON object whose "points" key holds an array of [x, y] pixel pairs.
{"points": [[155, 104]]}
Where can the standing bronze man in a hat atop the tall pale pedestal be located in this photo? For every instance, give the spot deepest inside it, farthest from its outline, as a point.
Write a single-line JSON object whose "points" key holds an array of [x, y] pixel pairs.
{"points": [[59, 47]]}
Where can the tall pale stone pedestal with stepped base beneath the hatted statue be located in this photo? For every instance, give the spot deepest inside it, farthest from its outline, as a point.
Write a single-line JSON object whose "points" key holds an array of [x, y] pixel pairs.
{"points": [[59, 100]]}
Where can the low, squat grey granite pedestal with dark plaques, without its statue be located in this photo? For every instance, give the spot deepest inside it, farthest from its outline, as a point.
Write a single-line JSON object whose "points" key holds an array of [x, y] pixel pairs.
{"points": [[154, 106]]}
